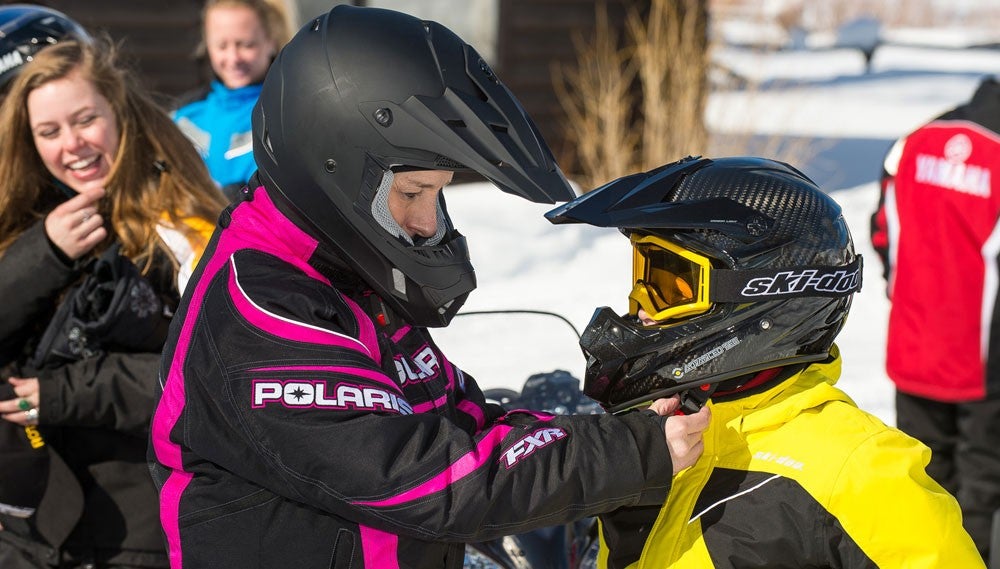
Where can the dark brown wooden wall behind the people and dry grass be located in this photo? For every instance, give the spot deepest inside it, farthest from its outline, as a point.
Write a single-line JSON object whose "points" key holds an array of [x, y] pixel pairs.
{"points": [[159, 37]]}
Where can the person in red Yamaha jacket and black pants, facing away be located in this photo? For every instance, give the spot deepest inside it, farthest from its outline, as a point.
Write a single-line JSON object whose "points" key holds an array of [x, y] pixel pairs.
{"points": [[937, 231]]}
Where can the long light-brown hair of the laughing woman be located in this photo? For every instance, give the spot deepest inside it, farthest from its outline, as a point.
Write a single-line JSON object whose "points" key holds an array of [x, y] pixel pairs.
{"points": [[157, 174]]}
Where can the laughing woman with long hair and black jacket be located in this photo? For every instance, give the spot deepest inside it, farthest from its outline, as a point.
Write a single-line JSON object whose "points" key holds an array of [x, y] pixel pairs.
{"points": [[106, 209]]}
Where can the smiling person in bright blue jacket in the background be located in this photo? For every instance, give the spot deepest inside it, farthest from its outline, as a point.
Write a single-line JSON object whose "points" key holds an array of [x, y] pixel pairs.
{"points": [[241, 39]]}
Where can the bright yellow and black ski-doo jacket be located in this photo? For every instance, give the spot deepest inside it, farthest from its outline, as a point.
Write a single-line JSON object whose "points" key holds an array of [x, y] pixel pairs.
{"points": [[798, 476]]}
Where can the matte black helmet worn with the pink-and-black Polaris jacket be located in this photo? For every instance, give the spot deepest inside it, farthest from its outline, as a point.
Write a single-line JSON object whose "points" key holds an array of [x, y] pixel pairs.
{"points": [[361, 90]]}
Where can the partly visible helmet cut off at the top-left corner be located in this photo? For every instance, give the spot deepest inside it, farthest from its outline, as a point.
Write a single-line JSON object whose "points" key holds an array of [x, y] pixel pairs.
{"points": [[25, 29]]}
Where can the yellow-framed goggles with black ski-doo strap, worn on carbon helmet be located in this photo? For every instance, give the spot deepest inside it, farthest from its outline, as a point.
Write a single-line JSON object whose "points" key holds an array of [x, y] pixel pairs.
{"points": [[673, 282]]}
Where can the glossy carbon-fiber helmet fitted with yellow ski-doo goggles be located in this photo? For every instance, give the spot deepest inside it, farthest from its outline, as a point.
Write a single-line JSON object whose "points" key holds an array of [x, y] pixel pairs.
{"points": [[744, 264]]}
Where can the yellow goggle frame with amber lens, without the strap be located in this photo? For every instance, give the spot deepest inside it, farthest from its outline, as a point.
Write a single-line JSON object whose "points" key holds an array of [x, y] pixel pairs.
{"points": [[670, 281]]}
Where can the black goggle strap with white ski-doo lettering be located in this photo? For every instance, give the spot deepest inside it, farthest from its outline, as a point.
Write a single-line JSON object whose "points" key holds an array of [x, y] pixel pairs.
{"points": [[755, 285]]}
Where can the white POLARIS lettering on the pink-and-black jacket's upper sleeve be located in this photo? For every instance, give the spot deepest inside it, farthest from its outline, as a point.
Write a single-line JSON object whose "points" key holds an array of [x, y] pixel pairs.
{"points": [[313, 393]]}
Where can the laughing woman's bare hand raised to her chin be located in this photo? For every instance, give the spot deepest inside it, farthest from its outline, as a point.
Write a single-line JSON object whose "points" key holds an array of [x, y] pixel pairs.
{"points": [[75, 226]]}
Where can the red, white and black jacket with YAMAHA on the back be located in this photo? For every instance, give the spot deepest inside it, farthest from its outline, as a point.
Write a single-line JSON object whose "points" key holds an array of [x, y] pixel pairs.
{"points": [[936, 230]]}
